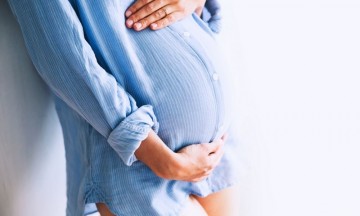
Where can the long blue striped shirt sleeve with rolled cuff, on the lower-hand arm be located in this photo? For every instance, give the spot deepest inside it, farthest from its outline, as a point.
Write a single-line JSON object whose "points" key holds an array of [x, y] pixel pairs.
{"points": [[55, 41]]}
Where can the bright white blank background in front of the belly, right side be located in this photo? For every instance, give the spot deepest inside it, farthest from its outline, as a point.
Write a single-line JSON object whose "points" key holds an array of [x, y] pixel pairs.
{"points": [[298, 68]]}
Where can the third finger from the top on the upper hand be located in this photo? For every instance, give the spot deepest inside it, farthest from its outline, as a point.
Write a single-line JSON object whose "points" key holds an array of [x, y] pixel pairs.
{"points": [[152, 18]]}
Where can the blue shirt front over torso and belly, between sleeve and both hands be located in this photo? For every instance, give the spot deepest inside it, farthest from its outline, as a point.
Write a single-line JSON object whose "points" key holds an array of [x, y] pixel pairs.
{"points": [[175, 69]]}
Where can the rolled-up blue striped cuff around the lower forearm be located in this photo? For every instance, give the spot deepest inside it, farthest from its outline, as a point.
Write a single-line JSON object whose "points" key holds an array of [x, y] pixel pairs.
{"points": [[128, 135]]}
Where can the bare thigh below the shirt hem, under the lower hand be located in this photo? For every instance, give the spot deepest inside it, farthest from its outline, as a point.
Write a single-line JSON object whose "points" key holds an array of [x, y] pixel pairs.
{"points": [[224, 202]]}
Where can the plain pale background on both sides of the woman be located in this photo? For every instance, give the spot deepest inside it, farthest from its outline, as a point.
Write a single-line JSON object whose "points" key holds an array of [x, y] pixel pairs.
{"points": [[297, 69]]}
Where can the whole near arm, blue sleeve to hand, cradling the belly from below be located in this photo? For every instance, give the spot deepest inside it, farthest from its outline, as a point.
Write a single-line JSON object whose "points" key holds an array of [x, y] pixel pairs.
{"points": [[56, 45]]}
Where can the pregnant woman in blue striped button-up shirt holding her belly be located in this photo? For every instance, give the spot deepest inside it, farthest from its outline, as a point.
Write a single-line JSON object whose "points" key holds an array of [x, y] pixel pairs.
{"points": [[145, 117]]}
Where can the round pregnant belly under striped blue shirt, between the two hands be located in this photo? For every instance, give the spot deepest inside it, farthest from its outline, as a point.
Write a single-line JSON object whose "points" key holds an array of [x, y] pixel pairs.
{"points": [[186, 98]]}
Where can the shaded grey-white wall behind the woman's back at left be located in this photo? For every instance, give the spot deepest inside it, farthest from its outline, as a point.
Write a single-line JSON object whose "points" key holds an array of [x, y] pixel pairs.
{"points": [[31, 150]]}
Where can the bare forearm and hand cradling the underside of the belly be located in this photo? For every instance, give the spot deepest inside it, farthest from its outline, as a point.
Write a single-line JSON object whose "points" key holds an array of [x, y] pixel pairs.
{"points": [[191, 163]]}
